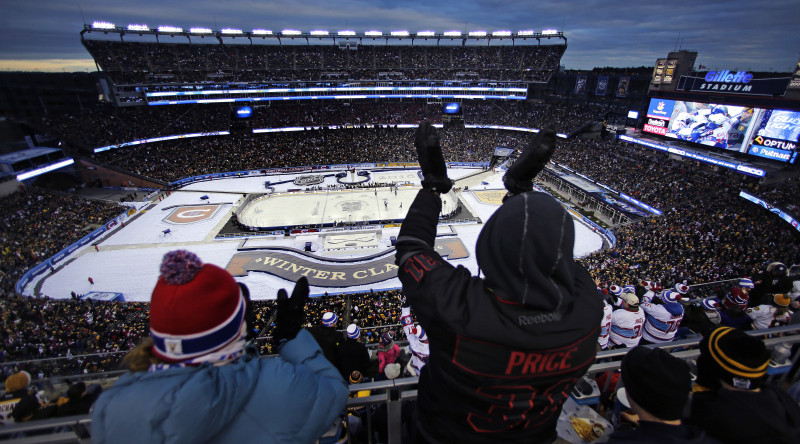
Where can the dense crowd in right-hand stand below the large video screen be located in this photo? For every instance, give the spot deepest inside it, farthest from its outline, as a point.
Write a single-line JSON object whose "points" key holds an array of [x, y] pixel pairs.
{"points": [[707, 232]]}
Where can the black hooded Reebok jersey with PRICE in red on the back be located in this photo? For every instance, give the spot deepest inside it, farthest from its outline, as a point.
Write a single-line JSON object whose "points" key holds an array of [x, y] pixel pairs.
{"points": [[505, 351]]}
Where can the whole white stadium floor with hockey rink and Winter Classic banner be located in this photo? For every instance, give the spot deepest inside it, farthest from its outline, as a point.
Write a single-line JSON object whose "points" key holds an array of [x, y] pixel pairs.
{"points": [[127, 258]]}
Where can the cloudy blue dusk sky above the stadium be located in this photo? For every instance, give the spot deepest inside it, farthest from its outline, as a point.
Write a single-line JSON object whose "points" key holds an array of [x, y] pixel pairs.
{"points": [[725, 33]]}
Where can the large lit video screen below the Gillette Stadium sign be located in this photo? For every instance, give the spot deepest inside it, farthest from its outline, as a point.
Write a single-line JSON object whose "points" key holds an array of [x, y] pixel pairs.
{"points": [[768, 133]]}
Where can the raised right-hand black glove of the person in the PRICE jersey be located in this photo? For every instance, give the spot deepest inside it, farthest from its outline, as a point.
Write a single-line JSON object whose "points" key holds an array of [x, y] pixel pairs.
{"points": [[519, 177]]}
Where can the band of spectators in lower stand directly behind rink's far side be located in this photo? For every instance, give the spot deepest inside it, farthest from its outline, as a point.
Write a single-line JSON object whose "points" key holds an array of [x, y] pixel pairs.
{"points": [[173, 160]]}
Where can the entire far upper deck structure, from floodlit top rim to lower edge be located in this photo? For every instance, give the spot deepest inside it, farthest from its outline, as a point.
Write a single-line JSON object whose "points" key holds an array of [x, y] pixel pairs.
{"points": [[474, 61]]}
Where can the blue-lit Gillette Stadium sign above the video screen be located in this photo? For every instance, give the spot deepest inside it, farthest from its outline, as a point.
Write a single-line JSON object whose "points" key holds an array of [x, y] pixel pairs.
{"points": [[739, 82]]}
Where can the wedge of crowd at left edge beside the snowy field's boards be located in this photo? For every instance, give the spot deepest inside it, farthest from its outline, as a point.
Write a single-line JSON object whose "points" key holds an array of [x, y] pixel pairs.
{"points": [[38, 223]]}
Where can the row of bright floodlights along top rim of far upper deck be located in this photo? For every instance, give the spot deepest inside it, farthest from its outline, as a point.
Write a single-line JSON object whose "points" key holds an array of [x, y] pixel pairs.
{"points": [[319, 34]]}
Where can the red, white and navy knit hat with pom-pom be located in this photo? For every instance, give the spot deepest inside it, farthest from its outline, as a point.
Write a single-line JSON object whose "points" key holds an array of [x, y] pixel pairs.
{"points": [[195, 309]]}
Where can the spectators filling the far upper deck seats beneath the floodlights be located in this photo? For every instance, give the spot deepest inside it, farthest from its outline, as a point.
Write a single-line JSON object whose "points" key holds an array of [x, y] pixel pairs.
{"points": [[142, 62]]}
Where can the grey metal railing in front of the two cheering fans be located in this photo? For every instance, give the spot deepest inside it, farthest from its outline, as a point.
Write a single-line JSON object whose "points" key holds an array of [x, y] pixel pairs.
{"points": [[393, 393]]}
